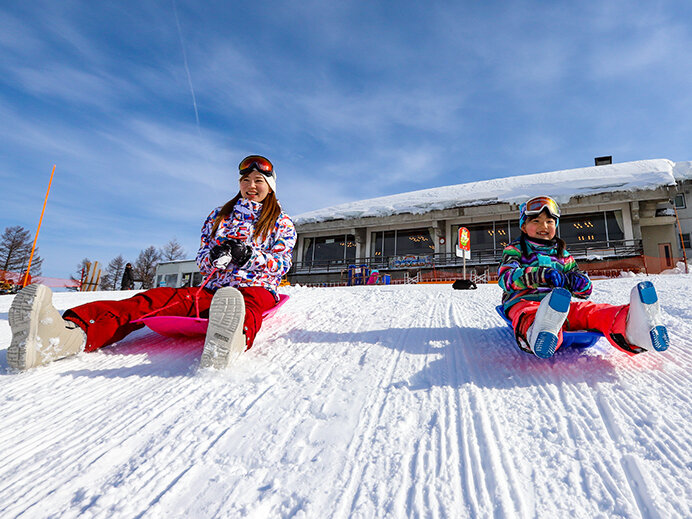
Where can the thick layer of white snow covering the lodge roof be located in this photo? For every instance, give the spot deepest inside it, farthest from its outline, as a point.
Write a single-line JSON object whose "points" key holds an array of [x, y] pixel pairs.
{"points": [[561, 185]]}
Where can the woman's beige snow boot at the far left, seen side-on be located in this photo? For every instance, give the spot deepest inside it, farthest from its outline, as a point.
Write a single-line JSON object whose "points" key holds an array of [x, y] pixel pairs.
{"points": [[39, 333]]}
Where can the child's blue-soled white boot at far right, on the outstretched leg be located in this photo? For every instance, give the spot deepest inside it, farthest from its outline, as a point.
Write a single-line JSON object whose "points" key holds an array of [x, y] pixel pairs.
{"points": [[645, 326]]}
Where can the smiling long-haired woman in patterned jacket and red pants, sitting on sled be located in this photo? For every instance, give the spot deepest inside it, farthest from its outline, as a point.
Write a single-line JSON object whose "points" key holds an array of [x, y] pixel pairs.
{"points": [[246, 248]]}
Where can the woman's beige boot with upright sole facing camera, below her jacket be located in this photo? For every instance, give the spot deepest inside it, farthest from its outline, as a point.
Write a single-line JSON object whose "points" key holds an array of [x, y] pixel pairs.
{"points": [[225, 339]]}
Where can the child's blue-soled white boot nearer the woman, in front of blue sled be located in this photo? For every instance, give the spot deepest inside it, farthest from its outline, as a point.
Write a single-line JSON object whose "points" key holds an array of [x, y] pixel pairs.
{"points": [[552, 312]]}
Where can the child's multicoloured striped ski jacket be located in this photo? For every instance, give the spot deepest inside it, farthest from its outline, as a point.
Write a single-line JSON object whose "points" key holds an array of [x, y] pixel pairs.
{"points": [[521, 272]]}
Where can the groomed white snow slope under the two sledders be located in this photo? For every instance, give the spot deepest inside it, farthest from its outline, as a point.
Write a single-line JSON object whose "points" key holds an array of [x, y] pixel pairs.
{"points": [[397, 401]]}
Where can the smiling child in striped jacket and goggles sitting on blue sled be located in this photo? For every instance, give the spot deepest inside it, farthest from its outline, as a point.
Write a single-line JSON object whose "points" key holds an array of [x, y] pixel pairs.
{"points": [[539, 278]]}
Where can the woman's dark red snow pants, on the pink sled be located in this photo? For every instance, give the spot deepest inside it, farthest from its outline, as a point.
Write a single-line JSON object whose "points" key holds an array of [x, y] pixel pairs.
{"points": [[106, 322]]}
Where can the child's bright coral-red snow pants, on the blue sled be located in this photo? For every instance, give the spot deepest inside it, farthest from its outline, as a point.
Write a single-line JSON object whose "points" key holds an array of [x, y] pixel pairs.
{"points": [[610, 320]]}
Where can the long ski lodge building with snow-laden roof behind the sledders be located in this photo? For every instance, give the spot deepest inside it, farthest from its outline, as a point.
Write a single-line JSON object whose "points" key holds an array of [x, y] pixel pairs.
{"points": [[626, 216]]}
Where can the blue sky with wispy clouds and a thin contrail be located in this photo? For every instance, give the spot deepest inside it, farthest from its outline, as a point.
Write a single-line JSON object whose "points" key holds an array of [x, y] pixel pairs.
{"points": [[147, 107]]}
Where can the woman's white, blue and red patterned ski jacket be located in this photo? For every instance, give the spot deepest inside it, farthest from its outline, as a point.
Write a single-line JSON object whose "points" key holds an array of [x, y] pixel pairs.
{"points": [[271, 258]]}
